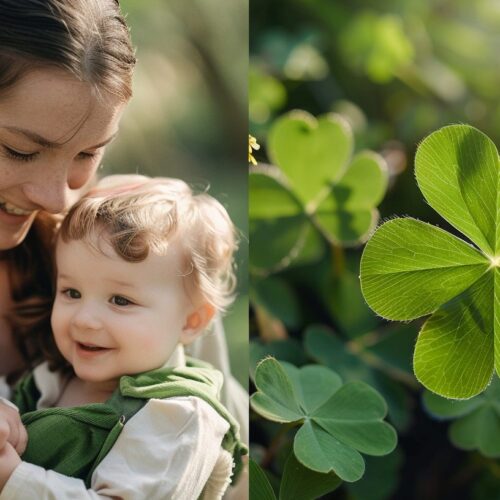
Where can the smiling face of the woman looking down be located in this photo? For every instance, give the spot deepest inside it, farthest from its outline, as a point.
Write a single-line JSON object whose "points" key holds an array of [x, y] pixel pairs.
{"points": [[53, 133]]}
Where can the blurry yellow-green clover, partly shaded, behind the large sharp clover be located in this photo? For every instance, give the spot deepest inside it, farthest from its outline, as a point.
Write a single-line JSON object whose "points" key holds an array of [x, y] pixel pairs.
{"points": [[314, 192]]}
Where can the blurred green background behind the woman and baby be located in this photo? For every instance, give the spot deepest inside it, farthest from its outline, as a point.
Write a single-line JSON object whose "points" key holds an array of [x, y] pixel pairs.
{"points": [[188, 116]]}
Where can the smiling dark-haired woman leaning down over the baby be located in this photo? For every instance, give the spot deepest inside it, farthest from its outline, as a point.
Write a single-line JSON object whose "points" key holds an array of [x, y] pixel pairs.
{"points": [[65, 79]]}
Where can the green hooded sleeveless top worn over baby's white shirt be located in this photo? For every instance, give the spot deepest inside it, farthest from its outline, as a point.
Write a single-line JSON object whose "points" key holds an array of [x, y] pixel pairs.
{"points": [[74, 440]]}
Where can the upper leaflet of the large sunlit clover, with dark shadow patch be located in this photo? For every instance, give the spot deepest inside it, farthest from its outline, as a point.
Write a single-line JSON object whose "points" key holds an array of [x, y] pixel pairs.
{"points": [[457, 170]]}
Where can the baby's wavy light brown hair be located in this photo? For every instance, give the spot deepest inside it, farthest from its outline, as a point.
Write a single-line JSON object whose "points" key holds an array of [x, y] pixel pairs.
{"points": [[137, 215]]}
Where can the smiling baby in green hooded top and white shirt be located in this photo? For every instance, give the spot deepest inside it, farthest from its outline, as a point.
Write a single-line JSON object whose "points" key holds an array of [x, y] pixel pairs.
{"points": [[141, 270]]}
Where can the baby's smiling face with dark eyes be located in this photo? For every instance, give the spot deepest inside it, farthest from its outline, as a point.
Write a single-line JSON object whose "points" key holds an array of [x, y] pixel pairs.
{"points": [[113, 317]]}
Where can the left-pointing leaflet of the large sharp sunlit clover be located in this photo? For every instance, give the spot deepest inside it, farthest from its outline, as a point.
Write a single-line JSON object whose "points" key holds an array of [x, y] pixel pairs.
{"points": [[409, 268]]}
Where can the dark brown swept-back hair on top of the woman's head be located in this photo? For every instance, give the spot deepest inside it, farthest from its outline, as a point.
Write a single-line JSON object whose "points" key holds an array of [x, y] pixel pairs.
{"points": [[87, 38]]}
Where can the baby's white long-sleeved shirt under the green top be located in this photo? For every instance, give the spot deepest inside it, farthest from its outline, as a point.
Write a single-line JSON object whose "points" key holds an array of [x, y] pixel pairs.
{"points": [[168, 450]]}
